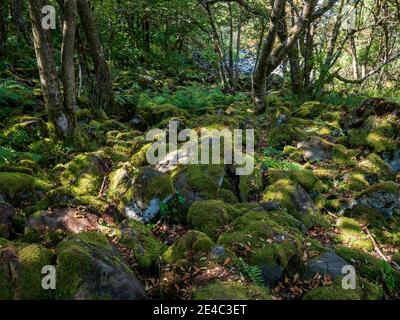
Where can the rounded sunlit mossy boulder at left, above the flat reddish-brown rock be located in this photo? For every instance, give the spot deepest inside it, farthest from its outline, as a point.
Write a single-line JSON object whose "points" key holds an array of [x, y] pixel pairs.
{"points": [[85, 173]]}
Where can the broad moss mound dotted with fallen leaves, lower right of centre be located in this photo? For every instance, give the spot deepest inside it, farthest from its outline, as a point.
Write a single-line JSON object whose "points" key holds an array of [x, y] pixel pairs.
{"points": [[258, 231]]}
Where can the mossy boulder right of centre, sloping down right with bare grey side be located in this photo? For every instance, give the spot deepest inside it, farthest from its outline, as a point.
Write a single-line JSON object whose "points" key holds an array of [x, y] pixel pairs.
{"points": [[297, 202]]}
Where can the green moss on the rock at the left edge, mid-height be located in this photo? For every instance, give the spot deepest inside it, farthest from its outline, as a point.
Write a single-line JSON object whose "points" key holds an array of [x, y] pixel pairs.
{"points": [[12, 184]]}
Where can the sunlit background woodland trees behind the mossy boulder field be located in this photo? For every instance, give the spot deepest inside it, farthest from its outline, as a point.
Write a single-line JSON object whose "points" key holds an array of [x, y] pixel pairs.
{"points": [[312, 46]]}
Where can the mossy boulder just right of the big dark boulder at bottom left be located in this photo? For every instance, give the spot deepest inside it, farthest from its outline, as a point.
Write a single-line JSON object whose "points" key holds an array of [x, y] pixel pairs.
{"points": [[145, 247]]}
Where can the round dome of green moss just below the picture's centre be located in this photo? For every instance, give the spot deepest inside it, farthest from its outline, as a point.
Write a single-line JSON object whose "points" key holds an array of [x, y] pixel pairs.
{"points": [[209, 216]]}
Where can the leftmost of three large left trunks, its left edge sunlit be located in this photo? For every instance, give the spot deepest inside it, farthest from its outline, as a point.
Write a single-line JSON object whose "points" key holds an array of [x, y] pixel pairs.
{"points": [[62, 120]]}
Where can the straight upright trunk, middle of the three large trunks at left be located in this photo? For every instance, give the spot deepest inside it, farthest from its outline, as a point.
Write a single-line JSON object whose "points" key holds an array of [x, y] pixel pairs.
{"points": [[67, 53]]}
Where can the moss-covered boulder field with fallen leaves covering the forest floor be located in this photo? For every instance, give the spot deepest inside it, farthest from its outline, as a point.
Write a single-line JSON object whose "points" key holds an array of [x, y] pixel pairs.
{"points": [[324, 195]]}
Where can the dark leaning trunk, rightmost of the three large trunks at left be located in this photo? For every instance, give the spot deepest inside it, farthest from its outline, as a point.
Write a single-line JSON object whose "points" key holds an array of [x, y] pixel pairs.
{"points": [[103, 93]]}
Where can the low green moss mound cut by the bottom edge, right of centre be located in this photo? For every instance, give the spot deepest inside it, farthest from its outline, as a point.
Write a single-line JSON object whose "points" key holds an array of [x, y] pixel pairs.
{"points": [[231, 291]]}
